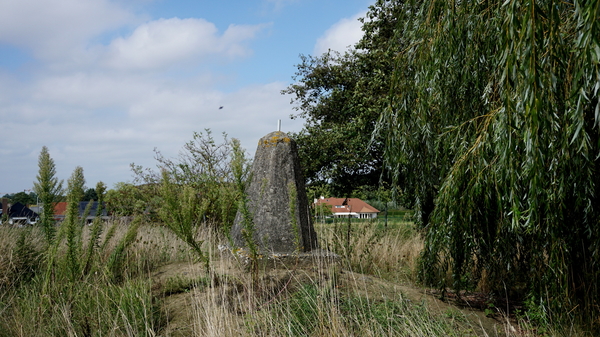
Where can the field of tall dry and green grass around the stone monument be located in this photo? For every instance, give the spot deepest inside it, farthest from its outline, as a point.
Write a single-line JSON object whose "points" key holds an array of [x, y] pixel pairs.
{"points": [[138, 279]]}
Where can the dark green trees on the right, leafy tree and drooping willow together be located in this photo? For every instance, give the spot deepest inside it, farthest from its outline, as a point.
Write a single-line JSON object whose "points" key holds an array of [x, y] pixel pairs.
{"points": [[485, 115]]}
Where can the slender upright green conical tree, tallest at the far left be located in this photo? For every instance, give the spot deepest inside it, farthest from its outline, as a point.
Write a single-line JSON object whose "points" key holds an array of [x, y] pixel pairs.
{"points": [[49, 190]]}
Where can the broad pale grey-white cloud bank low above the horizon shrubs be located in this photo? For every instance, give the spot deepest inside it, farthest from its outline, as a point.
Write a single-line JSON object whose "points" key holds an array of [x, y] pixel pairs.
{"points": [[104, 122]]}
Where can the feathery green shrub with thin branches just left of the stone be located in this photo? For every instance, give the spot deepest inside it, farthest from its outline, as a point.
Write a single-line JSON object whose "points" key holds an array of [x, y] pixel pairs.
{"points": [[196, 189]]}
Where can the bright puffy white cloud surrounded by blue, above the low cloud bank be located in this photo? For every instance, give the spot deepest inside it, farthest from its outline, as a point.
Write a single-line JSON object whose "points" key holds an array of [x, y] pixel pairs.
{"points": [[168, 41]]}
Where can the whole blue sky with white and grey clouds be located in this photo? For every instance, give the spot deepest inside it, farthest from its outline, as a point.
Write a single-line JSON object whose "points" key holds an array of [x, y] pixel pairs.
{"points": [[102, 83]]}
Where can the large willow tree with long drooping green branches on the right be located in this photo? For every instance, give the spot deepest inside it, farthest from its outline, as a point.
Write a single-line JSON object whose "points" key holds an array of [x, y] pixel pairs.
{"points": [[494, 121]]}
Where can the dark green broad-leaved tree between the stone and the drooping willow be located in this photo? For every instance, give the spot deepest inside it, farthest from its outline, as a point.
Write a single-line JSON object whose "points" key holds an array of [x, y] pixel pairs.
{"points": [[341, 96]]}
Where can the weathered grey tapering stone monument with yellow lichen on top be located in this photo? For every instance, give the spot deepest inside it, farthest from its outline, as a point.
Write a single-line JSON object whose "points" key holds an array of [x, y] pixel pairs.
{"points": [[276, 177]]}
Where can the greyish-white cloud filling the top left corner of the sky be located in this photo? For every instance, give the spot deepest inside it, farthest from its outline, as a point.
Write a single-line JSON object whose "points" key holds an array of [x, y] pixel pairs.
{"points": [[51, 28]]}
